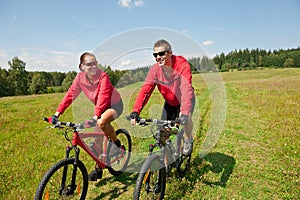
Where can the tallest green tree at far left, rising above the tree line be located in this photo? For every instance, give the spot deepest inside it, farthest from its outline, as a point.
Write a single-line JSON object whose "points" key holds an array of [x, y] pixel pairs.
{"points": [[18, 76]]}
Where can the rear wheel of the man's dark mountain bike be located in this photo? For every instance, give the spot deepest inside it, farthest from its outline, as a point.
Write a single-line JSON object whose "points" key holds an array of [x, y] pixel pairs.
{"points": [[183, 160]]}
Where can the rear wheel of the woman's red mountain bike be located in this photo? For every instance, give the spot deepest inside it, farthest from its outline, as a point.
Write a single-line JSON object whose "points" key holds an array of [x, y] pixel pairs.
{"points": [[115, 165]]}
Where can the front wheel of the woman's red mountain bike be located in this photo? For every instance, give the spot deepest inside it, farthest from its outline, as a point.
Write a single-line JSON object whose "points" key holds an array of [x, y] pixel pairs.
{"points": [[51, 186]]}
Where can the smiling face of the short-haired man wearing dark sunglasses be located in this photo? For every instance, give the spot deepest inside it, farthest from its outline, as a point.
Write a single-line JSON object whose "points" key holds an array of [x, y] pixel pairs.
{"points": [[162, 56]]}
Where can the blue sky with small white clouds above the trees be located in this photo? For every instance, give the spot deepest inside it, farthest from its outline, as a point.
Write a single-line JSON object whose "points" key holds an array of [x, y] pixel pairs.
{"points": [[51, 35]]}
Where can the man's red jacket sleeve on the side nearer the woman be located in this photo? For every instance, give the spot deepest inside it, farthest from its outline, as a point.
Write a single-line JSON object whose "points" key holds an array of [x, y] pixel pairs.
{"points": [[145, 92]]}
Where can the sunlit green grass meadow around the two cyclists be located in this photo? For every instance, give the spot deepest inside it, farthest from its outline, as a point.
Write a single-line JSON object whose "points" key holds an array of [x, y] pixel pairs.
{"points": [[256, 155]]}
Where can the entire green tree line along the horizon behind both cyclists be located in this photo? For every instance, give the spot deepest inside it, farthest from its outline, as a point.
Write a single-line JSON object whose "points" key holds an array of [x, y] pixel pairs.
{"points": [[17, 81]]}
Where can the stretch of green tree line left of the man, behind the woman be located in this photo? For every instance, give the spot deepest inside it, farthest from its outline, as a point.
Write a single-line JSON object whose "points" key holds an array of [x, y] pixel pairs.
{"points": [[17, 81]]}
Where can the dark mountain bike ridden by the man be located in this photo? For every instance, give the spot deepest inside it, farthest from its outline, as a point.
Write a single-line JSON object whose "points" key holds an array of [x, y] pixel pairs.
{"points": [[151, 181]]}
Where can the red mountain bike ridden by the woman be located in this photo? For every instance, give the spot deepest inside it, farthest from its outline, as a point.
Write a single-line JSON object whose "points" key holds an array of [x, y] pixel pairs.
{"points": [[68, 178]]}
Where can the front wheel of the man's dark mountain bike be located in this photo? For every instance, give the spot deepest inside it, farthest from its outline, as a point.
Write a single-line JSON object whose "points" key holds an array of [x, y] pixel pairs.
{"points": [[151, 181]]}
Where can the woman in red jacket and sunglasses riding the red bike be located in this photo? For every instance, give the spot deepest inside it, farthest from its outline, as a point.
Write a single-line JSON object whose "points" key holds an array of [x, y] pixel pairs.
{"points": [[96, 86]]}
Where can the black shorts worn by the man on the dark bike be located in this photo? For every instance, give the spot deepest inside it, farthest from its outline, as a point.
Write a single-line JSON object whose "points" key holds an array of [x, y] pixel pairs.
{"points": [[171, 112]]}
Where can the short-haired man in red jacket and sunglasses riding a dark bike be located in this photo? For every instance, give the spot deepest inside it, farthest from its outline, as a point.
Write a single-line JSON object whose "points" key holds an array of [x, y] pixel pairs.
{"points": [[172, 76]]}
